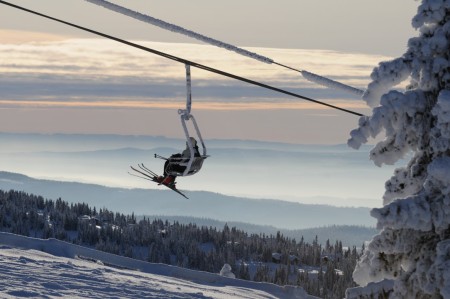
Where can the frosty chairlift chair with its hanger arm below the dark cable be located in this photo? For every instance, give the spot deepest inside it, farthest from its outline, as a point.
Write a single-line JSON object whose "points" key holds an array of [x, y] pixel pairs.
{"points": [[181, 166]]}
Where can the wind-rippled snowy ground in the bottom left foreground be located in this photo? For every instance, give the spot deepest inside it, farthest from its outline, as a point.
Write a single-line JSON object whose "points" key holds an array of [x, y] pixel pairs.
{"points": [[51, 269]]}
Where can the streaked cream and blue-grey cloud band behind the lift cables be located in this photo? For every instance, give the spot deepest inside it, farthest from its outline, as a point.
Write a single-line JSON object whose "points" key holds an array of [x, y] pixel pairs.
{"points": [[98, 72]]}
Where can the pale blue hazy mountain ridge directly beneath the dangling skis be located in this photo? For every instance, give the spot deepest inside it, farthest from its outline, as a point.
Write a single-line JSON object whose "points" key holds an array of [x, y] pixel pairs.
{"points": [[275, 213]]}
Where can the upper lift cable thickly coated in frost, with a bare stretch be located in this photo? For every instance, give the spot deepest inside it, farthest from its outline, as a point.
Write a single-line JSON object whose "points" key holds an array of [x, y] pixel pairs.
{"points": [[178, 29]]}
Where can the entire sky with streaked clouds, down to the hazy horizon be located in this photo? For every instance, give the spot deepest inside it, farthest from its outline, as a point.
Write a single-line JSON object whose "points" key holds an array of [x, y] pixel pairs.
{"points": [[56, 79]]}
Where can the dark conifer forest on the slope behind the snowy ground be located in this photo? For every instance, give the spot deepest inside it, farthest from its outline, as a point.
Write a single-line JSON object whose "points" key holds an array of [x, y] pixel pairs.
{"points": [[323, 270]]}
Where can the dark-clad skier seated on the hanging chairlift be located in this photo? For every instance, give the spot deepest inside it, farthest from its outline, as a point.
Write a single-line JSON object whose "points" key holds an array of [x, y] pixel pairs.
{"points": [[169, 179]]}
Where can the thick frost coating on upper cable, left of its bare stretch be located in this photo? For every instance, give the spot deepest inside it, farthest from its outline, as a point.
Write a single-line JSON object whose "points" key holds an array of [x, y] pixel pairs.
{"points": [[178, 29]]}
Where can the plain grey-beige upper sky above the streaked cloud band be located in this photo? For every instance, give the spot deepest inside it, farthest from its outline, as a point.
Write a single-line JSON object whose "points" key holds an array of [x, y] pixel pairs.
{"points": [[368, 26]]}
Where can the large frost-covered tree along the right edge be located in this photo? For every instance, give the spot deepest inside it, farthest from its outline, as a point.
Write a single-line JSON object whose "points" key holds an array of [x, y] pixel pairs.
{"points": [[410, 258]]}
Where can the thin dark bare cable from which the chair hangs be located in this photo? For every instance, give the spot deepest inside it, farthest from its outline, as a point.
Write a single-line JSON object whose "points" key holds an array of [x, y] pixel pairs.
{"points": [[181, 60]]}
